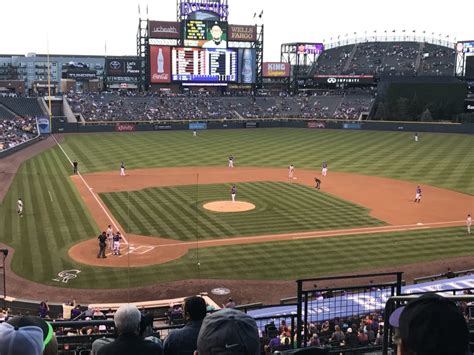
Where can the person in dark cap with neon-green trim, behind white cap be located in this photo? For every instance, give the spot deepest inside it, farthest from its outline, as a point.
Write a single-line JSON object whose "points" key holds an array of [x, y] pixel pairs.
{"points": [[49, 343]]}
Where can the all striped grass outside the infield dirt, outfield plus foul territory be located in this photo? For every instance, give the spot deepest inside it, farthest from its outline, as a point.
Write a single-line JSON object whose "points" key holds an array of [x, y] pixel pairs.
{"points": [[55, 217]]}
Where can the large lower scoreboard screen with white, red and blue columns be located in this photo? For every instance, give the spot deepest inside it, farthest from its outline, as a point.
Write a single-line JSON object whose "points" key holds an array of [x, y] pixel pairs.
{"points": [[204, 65]]}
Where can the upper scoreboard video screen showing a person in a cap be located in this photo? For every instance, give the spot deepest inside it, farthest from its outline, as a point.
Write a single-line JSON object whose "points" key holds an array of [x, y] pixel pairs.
{"points": [[205, 34]]}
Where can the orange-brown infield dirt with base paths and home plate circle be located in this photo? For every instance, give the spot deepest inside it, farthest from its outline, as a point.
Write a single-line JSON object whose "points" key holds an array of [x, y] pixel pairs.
{"points": [[388, 200]]}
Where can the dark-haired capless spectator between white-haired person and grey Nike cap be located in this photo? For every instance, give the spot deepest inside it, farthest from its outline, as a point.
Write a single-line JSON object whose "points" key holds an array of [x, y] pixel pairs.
{"points": [[184, 341]]}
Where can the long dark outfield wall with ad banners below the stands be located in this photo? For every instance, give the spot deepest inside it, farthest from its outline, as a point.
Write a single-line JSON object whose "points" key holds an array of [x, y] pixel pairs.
{"points": [[61, 126]]}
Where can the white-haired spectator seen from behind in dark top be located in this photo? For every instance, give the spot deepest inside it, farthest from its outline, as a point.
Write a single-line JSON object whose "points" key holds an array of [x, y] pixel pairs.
{"points": [[127, 324]]}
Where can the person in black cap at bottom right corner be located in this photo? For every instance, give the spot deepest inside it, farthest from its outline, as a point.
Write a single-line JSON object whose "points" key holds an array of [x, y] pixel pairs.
{"points": [[430, 325]]}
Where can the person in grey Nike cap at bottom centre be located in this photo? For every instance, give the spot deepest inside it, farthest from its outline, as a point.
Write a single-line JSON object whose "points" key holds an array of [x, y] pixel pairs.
{"points": [[228, 331]]}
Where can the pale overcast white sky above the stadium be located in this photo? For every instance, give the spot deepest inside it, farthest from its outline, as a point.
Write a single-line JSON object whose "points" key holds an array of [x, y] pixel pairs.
{"points": [[83, 27]]}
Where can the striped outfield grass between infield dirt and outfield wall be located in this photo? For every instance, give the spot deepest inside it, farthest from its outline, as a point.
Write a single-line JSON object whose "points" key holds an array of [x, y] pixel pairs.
{"points": [[444, 160]]}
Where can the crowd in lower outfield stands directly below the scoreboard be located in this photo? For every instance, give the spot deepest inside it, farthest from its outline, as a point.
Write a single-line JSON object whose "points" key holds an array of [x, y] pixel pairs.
{"points": [[115, 107]]}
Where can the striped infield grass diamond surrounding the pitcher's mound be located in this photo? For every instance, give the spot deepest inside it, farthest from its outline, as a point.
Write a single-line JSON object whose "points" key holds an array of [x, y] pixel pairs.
{"points": [[175, 212]]}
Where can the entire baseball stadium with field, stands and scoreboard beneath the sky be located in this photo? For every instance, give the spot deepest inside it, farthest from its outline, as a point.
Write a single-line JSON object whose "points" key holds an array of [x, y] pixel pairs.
{"points": [[314, 195]]}
